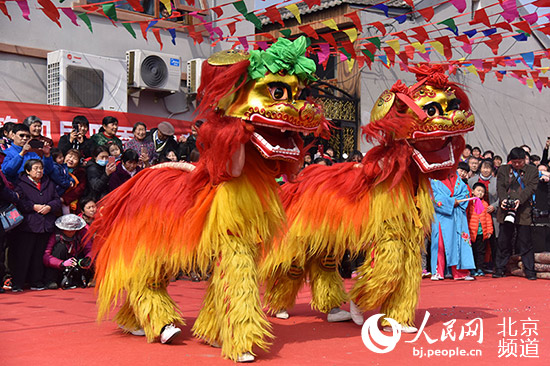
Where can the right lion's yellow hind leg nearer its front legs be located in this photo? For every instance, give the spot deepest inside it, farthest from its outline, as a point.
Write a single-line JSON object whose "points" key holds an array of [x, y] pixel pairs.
{"points": [[327, 287]]}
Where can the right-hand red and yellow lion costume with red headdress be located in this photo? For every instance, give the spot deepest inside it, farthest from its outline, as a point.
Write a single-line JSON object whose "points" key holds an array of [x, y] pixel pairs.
{"points": [[382, 207]]}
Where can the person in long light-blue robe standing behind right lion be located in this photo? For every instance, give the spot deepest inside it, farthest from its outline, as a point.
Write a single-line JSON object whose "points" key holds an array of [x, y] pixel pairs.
{"points": [[451, 246]]}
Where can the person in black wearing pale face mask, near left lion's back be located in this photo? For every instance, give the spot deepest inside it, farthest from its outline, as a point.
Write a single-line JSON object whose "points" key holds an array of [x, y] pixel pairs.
{"points": [[98, 172]]}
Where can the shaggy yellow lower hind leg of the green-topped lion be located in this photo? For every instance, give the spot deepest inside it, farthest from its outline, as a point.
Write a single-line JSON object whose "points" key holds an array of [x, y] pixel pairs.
{"points": [[151, 307]]}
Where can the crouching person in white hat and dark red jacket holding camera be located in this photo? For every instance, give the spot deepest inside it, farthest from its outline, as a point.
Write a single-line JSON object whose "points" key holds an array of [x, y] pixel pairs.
{"points": [[68, 255]]}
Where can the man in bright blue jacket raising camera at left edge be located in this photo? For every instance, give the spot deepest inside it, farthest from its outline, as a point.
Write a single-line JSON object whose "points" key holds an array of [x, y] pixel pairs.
{"points": [[21, 151]]}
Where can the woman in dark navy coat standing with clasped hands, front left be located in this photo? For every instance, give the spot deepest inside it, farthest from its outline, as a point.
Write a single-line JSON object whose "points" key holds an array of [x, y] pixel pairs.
{"points": [[38, 202]]}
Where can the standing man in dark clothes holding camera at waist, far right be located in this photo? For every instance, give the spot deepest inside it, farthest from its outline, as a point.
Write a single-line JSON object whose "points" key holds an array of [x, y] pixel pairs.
{"points": [[516, 184]]}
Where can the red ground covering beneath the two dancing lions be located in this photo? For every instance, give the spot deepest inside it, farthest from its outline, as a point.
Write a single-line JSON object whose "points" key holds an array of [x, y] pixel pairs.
{"points": [[56, 327]]}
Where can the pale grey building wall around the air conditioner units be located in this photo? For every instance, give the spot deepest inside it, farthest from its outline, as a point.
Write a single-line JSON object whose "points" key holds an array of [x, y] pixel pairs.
{"points": [[23, 78]]}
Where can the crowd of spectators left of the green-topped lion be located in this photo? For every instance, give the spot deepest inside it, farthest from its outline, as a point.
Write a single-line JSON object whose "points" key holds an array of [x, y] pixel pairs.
{"points": [[55, 189]]}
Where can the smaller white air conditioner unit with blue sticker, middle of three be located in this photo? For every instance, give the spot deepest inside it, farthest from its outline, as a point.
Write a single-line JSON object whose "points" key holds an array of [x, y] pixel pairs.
{"points": [[153, 70]]}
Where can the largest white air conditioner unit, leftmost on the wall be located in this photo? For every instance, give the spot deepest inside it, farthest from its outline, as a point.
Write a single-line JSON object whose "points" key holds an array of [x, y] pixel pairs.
{"points": [[76, 79]]}
